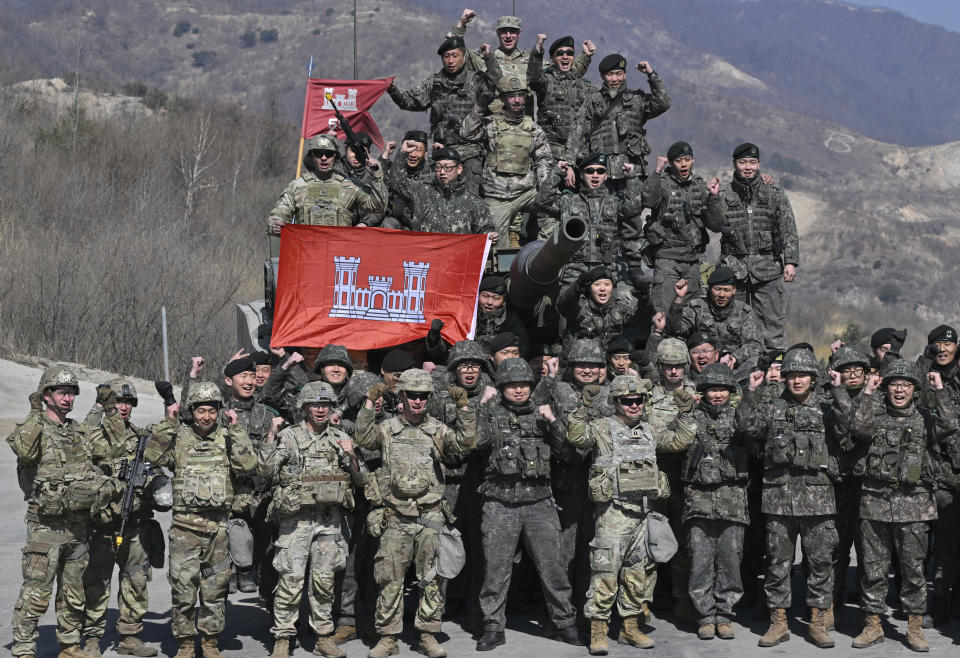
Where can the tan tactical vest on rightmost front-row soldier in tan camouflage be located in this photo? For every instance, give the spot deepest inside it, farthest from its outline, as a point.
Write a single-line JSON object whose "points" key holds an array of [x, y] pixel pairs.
{"points": [[628, 473]]}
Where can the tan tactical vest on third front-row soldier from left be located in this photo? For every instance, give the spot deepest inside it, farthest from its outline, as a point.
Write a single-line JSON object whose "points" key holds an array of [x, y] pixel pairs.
{"points": [[201, 476]]}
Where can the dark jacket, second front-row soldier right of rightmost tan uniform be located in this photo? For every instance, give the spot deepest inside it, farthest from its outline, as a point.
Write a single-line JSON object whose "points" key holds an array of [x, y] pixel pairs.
{"points": [[800, 462]]}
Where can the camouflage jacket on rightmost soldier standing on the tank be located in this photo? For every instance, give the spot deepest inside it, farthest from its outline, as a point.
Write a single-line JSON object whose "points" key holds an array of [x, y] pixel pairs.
{"points": [[755, 220]]}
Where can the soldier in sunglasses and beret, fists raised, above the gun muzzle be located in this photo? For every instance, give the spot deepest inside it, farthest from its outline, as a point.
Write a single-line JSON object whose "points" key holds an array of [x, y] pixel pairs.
{"points": [[602, 211]]}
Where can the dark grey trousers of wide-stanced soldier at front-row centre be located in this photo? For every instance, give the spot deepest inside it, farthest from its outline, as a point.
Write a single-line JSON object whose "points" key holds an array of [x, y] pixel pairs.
{"points": [[537, 523]]}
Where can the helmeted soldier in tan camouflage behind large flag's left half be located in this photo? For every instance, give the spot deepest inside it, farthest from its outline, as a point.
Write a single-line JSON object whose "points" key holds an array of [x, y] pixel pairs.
{"points": [[321, 196]]}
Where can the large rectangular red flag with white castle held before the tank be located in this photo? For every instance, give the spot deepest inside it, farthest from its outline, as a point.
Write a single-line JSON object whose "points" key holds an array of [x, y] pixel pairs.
{"points": [[366, 288]]}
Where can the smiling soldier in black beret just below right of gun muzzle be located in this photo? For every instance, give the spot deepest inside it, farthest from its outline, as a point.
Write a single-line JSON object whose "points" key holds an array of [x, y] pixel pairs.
{"points": [[594, 308]]}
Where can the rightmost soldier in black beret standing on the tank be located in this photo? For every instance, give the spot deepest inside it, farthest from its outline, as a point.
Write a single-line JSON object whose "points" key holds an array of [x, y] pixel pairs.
{"points": [[759, 242]]}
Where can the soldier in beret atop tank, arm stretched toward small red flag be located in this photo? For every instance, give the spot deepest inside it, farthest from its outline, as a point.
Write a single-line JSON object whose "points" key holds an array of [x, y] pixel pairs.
{"points": [[450, 95]]}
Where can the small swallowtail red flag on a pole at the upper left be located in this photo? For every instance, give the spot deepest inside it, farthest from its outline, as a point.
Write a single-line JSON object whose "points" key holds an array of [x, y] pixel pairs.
{"points": [[352, 97]]}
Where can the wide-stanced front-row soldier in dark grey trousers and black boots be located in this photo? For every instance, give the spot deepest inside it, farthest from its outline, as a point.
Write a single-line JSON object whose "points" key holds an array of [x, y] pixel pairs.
{"points": [[517, 502]]}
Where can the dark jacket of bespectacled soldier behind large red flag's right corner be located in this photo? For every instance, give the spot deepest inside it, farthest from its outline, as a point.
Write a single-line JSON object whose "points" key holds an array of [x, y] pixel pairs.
{"points": [[443, 207]]}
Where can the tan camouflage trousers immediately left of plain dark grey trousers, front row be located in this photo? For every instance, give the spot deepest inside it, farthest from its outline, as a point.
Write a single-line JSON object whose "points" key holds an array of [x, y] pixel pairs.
{"points": [[406, 541]]}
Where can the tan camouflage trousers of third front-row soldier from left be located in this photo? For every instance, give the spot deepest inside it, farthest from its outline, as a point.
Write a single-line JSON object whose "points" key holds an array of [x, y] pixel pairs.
{"points": [[199, 564]]}
